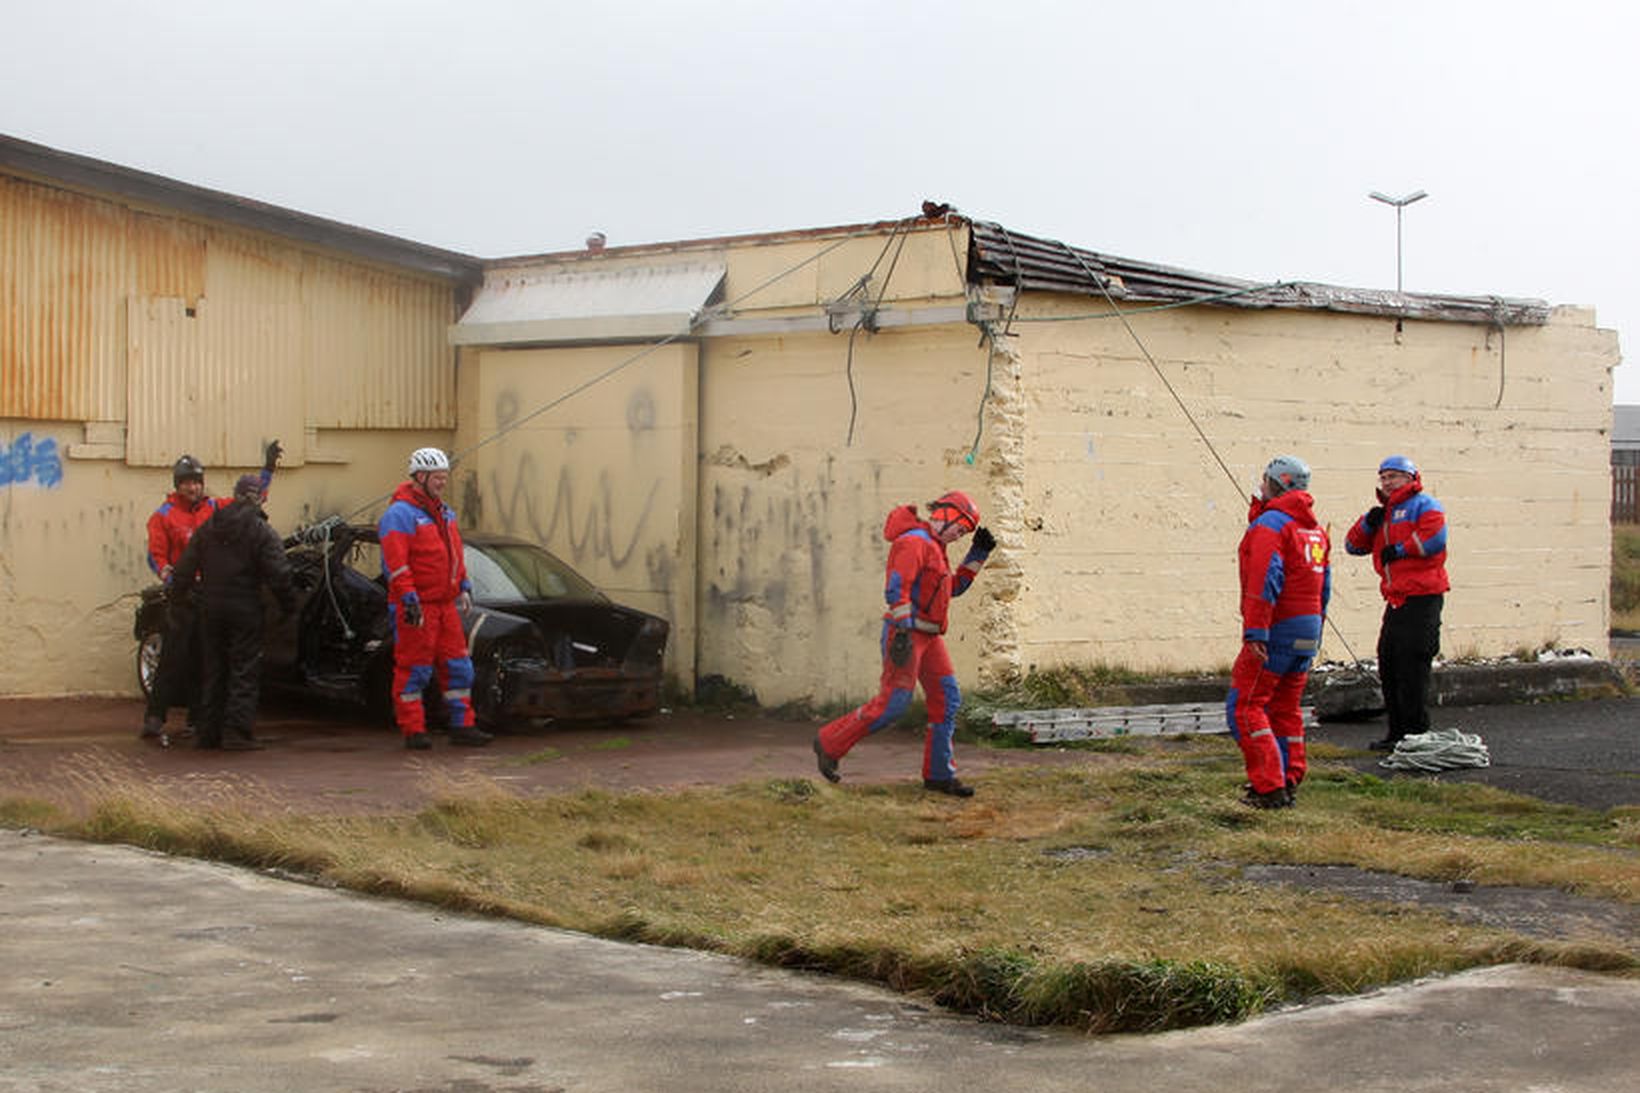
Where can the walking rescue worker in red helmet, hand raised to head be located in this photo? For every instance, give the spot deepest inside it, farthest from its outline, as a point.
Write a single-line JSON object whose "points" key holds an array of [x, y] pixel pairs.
{"points": [[919, 590]]}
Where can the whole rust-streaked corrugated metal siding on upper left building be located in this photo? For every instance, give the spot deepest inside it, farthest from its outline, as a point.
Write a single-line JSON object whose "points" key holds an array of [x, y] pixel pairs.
{"points": [[206, 339]]}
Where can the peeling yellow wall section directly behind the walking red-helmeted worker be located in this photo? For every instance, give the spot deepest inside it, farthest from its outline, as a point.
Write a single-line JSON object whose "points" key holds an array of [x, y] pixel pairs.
{"points": [[793, 508]]}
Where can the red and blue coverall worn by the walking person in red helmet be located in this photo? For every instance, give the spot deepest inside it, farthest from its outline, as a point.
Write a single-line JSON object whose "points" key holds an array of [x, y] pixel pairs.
{"points": [[919, 588]]}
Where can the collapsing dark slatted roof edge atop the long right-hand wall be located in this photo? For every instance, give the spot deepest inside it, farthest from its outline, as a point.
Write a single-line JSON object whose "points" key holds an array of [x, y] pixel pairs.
{"points": [[1039, 265]]}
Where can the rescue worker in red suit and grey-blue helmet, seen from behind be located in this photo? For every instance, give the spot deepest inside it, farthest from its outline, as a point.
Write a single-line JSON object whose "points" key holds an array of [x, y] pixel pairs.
{"points": [[1287, 582]]}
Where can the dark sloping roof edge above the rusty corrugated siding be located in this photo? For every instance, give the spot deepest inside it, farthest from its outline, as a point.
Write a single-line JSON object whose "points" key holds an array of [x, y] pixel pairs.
{"points": [[104, 178]]}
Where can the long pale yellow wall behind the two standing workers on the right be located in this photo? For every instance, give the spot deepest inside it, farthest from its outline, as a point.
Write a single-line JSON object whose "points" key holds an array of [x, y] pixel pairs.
{"points": [[1129, 554]]}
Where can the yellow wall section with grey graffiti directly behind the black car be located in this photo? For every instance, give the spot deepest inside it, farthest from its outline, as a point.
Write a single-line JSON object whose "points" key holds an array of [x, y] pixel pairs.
{"points": [[606, 480]]}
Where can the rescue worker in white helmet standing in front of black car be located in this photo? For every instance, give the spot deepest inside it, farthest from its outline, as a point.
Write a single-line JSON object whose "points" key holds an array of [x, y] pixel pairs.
{"points": [[427, 593]]}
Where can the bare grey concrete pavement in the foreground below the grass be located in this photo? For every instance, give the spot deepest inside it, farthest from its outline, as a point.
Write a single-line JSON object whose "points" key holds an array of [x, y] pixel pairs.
{"points": [[125, 971]]}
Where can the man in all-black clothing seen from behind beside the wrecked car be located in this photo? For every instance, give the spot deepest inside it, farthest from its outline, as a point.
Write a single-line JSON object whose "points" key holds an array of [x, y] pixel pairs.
{"points": [[235, 554]]}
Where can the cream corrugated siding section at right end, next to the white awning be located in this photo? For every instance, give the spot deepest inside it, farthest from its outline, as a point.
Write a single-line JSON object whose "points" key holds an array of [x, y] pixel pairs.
{"points": [[378, 354]]}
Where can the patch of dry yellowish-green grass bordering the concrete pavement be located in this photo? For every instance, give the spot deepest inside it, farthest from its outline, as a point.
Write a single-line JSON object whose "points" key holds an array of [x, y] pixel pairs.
{"points": [[1105, 895]]}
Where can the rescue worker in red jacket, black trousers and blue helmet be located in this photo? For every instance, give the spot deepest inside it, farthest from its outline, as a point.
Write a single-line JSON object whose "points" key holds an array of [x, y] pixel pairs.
{"points": [[1406, 536]]}
